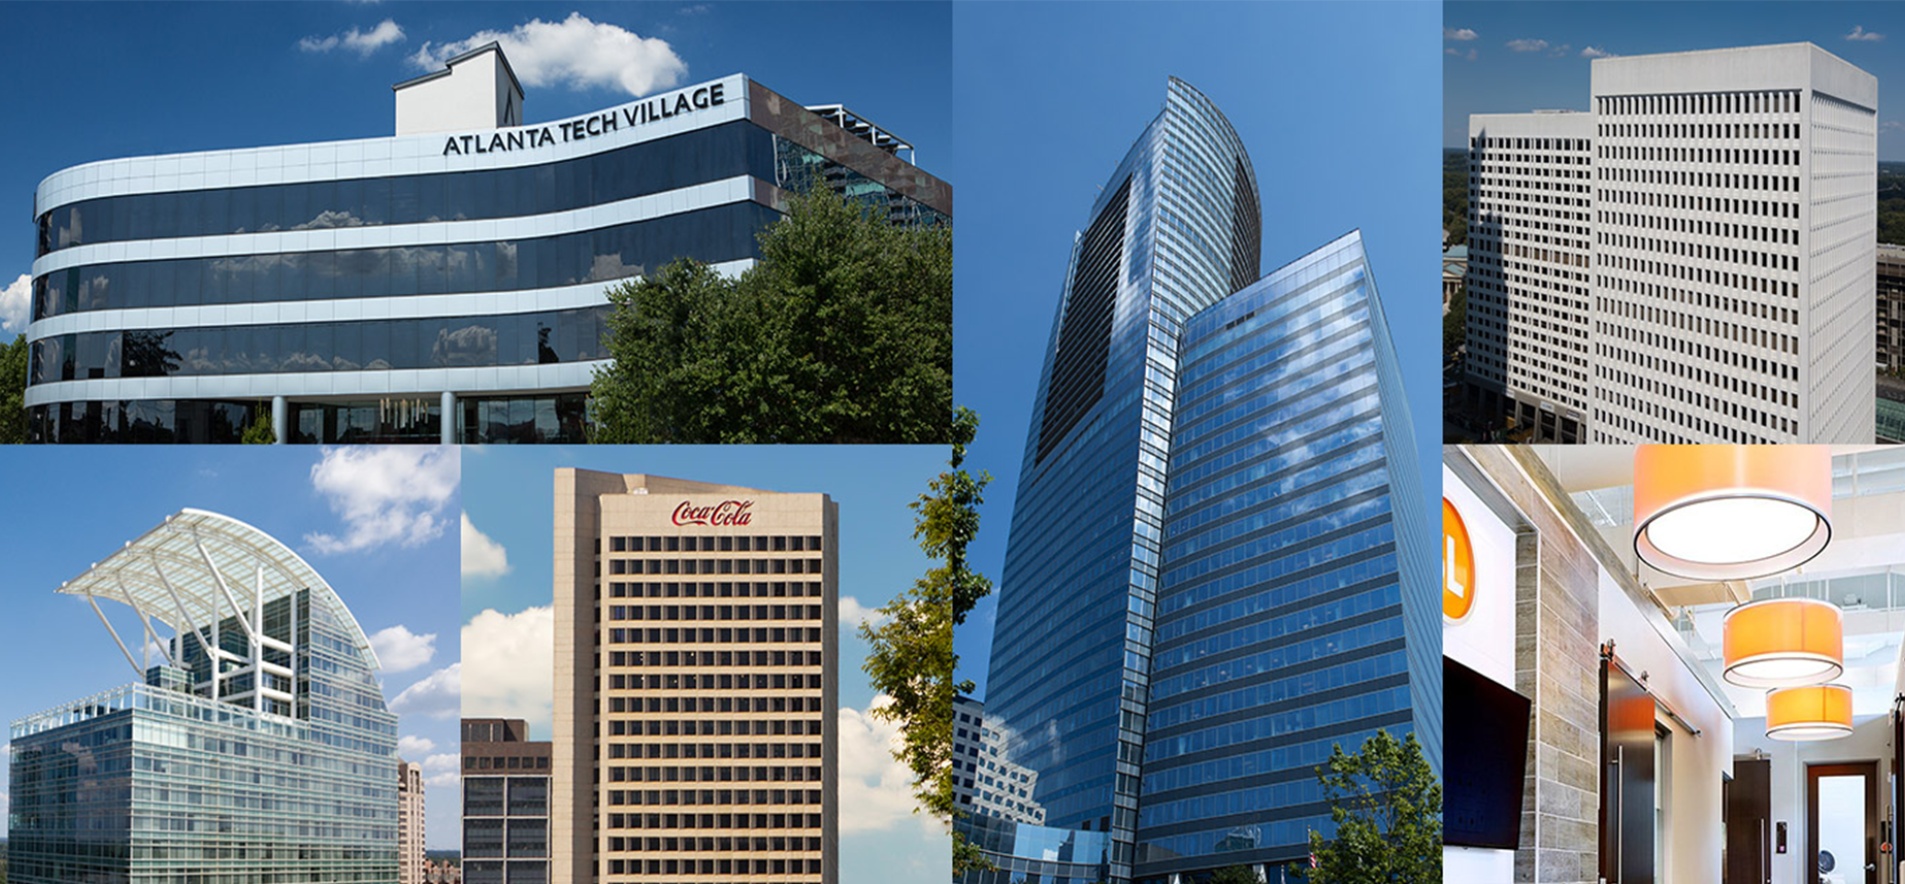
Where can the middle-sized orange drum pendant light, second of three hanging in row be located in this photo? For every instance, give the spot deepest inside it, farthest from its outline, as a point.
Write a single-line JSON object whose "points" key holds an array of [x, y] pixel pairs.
{"points": [[1782, 643]]}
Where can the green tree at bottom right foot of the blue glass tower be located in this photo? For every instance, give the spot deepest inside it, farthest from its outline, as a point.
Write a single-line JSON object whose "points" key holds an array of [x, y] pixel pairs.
{"points": [[1388, 813]]}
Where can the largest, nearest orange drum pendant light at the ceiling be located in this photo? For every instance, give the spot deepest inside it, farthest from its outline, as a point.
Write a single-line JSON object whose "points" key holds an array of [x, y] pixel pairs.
{"points": [[1733, 512]]}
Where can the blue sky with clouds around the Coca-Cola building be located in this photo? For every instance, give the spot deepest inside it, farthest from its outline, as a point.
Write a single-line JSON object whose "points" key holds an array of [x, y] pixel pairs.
{"points": [[508, 557]]}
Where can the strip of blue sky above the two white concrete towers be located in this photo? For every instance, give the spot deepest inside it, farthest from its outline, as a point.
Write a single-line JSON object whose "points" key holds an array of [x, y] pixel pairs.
{"points": [[1536, 56]]}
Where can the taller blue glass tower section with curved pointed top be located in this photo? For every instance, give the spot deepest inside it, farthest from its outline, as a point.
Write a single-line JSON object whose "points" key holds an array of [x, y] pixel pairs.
{"points": [[1174, 231]]}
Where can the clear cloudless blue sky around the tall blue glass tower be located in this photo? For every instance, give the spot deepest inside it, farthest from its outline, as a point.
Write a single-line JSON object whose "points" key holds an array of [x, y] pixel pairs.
{"points": [[1329, 100]]}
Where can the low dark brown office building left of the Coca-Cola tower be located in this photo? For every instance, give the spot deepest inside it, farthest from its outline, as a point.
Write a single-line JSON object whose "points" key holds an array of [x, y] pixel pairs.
{"points": [[506, 803]]}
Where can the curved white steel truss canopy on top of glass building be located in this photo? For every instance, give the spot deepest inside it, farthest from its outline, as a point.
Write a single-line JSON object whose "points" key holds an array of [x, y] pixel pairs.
{"points": [[197, 569]]}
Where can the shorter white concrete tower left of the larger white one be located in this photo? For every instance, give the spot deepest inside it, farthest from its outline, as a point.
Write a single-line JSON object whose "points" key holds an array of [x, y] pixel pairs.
{"points": [[1529, 268]]}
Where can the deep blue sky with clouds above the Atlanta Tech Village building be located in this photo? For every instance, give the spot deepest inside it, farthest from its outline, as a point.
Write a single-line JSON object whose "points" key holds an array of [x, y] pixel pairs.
{"points": [[151, 79]]}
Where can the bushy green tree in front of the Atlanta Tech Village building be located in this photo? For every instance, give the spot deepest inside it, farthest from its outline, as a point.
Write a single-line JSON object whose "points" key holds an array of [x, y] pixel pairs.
{"points": [[843, 332]]}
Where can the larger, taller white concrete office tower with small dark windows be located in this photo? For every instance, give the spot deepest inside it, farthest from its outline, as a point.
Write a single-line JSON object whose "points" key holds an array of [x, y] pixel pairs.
{"points": [[1736, 245]]}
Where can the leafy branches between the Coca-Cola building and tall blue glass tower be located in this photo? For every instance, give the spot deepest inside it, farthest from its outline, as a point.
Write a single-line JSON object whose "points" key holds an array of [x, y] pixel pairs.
{"points": [[913, 656]]}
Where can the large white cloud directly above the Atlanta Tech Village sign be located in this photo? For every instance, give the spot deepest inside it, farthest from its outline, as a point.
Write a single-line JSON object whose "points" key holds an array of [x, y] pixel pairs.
{"points": [[576, 52]]}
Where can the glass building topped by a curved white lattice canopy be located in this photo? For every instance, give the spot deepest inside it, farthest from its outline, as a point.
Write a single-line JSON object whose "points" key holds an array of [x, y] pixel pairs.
{"points": [[256, 752]]}
